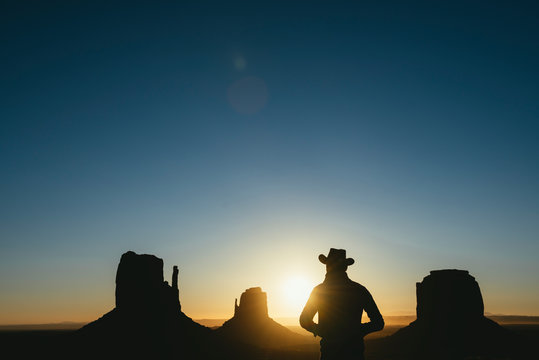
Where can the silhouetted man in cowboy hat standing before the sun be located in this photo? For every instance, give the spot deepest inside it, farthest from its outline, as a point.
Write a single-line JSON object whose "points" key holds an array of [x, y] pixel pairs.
{"points": [[340, 302]]}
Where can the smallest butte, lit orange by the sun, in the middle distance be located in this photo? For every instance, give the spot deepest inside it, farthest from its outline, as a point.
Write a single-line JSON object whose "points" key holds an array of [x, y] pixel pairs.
{"points": [[252, 325]]}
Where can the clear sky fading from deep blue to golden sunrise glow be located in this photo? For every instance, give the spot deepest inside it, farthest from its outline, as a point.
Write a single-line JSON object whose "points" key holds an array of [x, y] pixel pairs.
{"points": [[240, 140]]}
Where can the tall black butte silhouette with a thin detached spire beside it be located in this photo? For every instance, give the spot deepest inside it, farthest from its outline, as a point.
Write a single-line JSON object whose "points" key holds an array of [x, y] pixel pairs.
{"points": [[147, 320]]}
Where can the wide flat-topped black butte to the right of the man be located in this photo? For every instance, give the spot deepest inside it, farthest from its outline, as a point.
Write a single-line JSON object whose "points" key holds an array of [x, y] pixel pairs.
{"points": [[450, 321]]}
